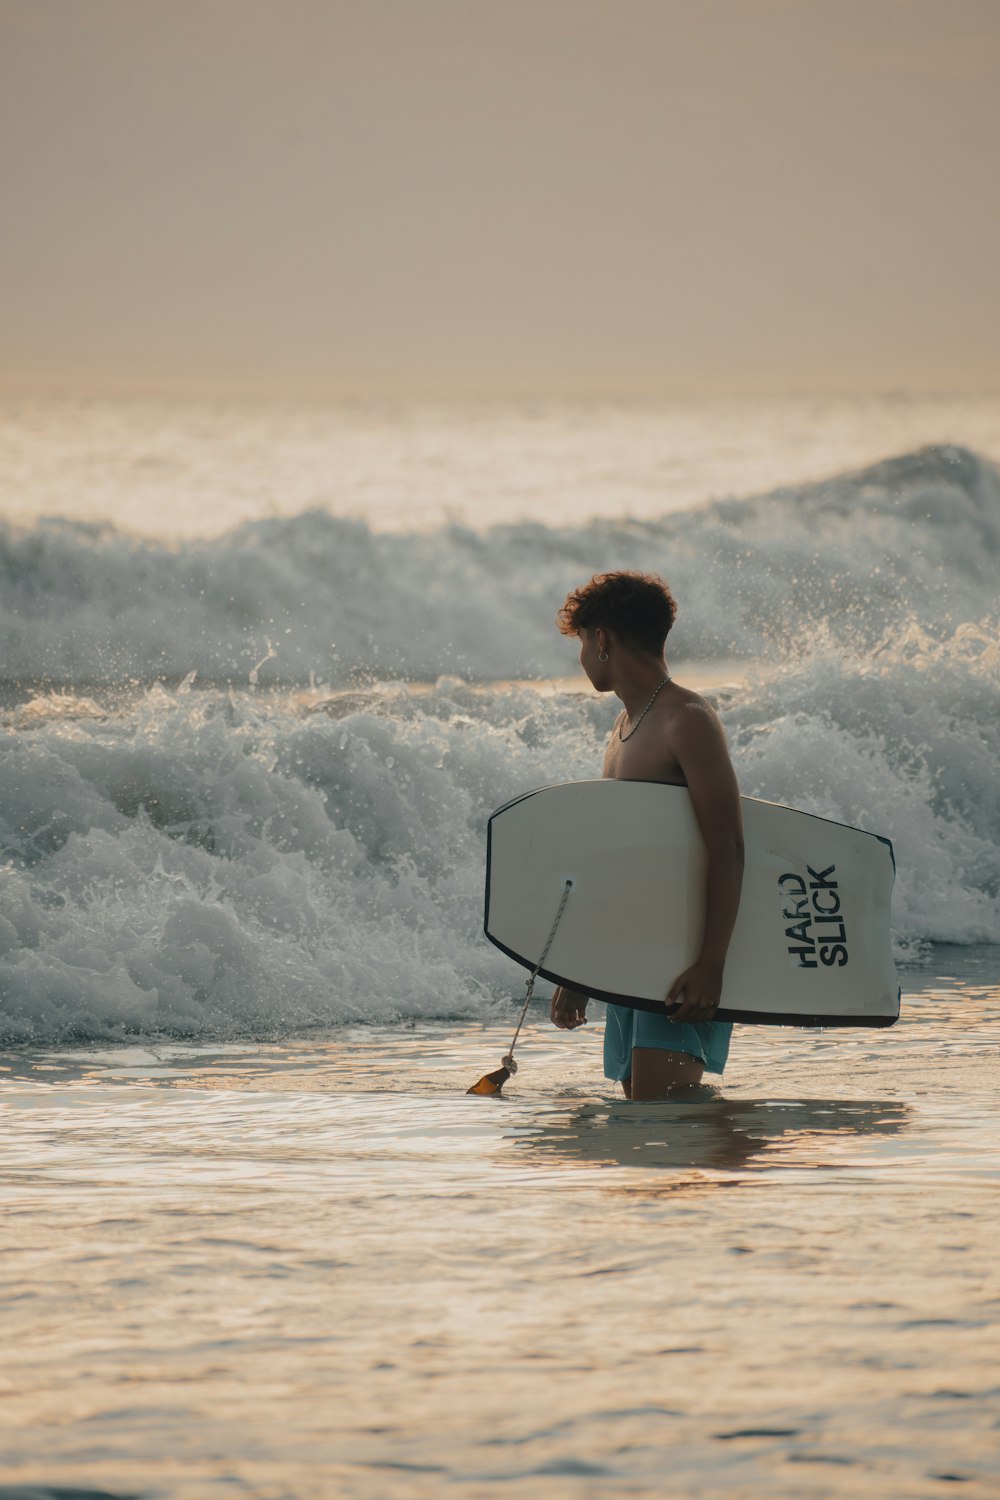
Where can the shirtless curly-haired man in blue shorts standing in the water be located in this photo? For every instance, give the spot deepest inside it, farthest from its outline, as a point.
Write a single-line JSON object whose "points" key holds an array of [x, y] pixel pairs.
{"points": [[663, 734]]}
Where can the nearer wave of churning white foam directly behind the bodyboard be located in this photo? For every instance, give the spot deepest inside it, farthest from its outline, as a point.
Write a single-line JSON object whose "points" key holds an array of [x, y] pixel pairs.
{"points": [[217, 863]]}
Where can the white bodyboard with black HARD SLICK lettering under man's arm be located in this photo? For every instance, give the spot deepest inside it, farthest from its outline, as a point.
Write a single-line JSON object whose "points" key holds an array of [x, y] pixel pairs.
{"points": [[812, 941]]}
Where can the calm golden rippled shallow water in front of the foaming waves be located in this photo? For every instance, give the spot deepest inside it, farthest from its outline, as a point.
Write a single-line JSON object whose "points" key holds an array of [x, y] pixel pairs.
{"points": [[319, 1268]]}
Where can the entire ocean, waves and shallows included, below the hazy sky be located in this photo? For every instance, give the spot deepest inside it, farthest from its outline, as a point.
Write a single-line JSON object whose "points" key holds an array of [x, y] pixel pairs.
{"points": [[257, 1238]]}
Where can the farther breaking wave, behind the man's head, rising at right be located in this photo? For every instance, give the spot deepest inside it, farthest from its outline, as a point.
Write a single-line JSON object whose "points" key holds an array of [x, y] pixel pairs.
{"points": [[325, 598]]}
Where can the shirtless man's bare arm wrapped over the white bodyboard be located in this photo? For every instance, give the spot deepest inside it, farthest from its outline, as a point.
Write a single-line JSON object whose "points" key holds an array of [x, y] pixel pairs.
{"points": [[699, 745]]}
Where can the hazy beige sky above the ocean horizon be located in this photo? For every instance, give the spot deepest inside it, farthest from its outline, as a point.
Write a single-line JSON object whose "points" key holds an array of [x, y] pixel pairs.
{"points": [[445, 197]]}
